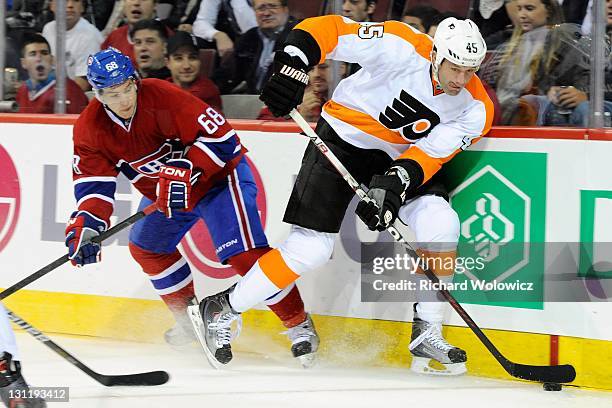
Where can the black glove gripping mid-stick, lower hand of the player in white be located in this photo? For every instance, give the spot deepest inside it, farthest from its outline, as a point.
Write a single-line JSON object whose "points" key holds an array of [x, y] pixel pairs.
{"points": [[387, 194]]}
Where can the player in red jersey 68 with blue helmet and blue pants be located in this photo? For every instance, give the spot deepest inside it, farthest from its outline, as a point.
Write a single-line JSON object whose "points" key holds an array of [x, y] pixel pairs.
{"points": [[182, 154]]}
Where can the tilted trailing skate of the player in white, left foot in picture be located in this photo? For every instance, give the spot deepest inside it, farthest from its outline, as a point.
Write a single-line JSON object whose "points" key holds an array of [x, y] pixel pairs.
{"points": [[212, 323]]}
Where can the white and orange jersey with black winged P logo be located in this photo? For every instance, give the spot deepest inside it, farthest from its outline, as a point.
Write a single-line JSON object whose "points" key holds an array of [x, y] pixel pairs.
{"points": [[392, 103]]}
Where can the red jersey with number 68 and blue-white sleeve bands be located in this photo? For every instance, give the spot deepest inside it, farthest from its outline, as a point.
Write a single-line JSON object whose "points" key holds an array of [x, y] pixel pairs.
{"points": [[169, 123]]}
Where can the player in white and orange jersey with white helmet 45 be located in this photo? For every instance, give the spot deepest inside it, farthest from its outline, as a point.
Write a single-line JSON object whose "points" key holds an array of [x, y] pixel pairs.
{"points": [[413, 106]]}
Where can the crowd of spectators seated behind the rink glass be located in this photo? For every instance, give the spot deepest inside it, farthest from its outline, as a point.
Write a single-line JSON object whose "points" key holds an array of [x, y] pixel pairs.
{"points": [[541, 67]]}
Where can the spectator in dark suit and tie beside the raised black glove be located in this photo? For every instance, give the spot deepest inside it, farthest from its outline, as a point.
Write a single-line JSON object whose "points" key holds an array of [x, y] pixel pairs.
{"points": [[252, 59]]}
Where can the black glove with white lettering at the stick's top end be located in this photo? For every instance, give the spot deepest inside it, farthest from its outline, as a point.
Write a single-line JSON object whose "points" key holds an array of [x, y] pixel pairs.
{"points": [[285, 89]]}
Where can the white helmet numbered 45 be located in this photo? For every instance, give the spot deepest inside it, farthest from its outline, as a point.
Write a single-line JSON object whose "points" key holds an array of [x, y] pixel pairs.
{"points": [[460, 42]]}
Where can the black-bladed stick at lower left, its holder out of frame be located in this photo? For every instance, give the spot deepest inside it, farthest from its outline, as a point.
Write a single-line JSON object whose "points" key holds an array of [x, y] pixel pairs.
{"points": [[148, 378]]}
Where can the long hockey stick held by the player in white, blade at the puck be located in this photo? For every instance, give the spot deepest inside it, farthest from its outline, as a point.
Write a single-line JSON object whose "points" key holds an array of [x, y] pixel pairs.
{"points": [[557, 374]]}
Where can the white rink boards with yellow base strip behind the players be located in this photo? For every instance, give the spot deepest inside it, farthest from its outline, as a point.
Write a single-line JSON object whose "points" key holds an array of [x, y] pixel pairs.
{"points": [[113, 299]]}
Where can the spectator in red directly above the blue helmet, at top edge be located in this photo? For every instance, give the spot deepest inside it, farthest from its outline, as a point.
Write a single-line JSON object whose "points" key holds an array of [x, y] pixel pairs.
{"points": [[134, 11]]}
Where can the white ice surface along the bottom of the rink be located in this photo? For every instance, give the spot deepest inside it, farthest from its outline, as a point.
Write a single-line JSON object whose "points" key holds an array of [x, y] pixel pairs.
{"points": [[255, 381]]}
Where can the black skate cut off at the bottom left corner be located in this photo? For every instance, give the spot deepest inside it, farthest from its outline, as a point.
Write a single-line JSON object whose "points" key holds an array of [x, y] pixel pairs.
{"points": [[13, 387]]}
